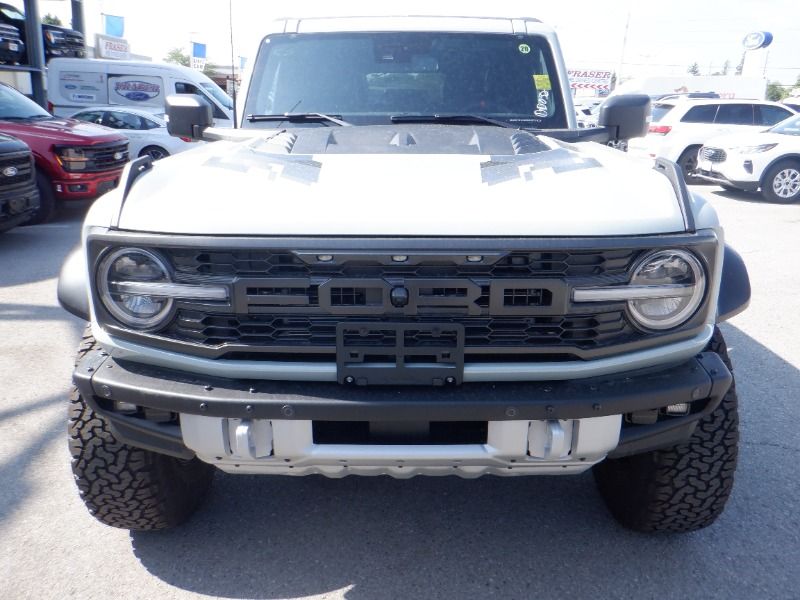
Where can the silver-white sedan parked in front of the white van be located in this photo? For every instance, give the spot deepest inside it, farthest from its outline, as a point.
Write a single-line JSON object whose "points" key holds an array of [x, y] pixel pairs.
{"points": [[146, 131]]}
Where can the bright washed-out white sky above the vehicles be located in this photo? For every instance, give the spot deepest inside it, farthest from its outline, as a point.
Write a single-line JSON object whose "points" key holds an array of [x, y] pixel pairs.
{"points": [[663, 38]]}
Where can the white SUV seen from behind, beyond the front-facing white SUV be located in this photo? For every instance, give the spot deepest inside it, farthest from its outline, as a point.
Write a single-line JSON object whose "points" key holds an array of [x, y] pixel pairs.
{"points": [[681, 126]]}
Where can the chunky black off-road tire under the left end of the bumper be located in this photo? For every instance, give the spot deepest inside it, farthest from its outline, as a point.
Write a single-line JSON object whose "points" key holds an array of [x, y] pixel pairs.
{"points": [[124, 486]]}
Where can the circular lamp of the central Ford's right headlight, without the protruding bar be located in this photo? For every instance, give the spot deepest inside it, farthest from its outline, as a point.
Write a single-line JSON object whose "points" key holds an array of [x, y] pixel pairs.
{"points": [[668, 270]]}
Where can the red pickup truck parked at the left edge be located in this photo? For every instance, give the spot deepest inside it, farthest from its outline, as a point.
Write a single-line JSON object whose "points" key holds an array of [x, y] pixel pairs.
{"points": [[74, 160]]}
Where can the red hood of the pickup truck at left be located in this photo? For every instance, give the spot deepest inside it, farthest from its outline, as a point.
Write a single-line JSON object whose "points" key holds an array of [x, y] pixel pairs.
{"points": [[60, 131]]}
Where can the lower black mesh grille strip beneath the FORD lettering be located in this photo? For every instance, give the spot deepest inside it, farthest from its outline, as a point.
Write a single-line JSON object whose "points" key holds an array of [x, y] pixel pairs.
{"points": [[584, 332]]}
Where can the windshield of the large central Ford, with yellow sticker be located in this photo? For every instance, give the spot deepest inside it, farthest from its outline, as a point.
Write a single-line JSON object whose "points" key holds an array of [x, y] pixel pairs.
{"points": [[366, 78]]}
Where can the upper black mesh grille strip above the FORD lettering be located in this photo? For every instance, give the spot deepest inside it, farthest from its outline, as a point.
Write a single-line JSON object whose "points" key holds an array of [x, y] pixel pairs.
{"points": [[271, 263]]}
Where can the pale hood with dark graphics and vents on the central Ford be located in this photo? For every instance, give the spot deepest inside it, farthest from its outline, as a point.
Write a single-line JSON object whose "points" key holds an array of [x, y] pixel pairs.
{"points": [[424, 180]]}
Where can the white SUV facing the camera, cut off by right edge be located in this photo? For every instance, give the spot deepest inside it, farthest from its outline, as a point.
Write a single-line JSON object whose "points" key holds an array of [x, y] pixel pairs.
{"points": [[769, 160]]}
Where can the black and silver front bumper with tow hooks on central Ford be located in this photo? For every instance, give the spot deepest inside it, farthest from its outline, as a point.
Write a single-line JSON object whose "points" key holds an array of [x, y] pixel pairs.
{"points": [[216, 412]]}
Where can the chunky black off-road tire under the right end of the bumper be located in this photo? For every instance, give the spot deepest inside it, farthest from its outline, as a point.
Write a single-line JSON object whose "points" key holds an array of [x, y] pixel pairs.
{"points": [[677, 489]]}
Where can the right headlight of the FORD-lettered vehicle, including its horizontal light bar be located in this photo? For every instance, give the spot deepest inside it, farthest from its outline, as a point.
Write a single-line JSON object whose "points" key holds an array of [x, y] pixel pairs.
{"points": [[665, 290]]}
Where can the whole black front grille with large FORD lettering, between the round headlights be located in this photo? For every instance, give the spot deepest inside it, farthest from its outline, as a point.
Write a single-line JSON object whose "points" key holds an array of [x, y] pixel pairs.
{"points": [[286, 305]]}
